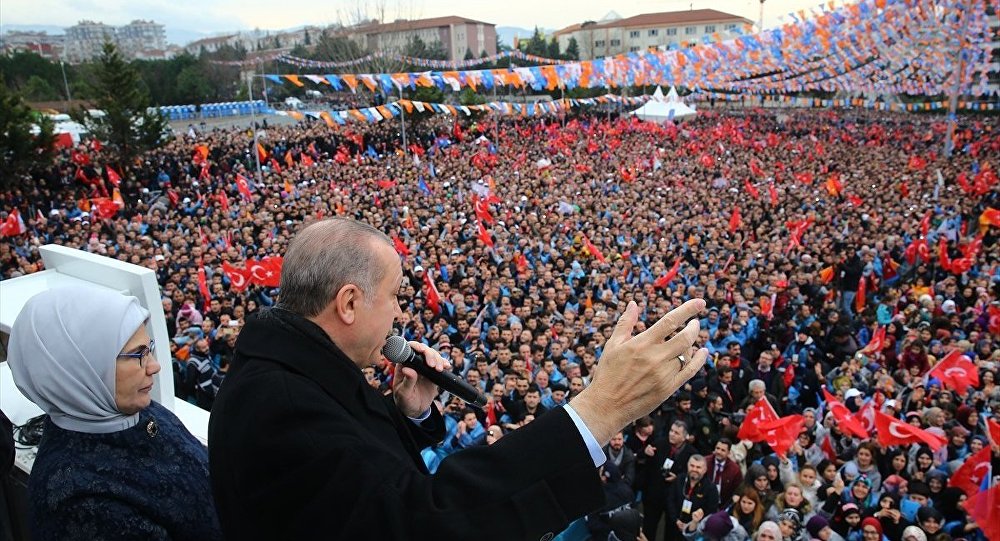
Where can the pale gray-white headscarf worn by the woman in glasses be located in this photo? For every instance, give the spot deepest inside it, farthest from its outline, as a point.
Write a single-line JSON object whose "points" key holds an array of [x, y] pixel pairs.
{"points": [[63, 352]]}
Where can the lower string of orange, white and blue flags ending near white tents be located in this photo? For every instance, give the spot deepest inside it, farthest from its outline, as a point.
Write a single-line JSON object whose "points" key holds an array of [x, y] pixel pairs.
{"points": [[394, 109]]}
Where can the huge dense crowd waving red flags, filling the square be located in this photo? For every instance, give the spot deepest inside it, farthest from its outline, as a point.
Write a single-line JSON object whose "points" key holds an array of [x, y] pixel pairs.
{"points": [[826, 245]]}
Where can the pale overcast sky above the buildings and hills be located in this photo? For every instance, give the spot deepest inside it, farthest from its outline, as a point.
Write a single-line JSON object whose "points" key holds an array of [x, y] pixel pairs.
{"points": [[227, 15]]}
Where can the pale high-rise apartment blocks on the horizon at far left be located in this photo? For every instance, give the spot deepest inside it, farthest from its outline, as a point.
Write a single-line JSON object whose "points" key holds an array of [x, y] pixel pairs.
{"points": [[138, 39]]}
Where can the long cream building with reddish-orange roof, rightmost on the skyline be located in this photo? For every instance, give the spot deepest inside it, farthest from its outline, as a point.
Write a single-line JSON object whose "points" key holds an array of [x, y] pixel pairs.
{"points": [[614, 35]]}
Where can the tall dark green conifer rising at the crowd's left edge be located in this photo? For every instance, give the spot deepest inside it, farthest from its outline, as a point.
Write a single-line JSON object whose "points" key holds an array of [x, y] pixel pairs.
{"points": [[127, 126]]}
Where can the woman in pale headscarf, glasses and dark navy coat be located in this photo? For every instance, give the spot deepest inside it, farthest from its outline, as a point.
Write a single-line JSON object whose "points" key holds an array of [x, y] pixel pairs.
{"points": [[111, 463]]}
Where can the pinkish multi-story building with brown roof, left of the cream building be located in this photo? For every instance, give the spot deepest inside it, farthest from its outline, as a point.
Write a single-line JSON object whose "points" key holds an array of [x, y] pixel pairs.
{"points": [[456, 34]]}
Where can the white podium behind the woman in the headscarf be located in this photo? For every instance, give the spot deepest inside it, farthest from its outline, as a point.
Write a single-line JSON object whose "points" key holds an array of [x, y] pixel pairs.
{"points": [[66, 266]]}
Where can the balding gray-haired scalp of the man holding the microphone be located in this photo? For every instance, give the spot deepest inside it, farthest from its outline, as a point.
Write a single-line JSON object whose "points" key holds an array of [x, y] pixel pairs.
{"points": [[326, 256]]}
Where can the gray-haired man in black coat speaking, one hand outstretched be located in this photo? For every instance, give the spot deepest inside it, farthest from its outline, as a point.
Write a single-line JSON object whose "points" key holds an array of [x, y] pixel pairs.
{"points": [[300, 447]]}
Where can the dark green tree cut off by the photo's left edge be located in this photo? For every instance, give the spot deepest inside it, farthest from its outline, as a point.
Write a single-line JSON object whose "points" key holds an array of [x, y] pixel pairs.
{"points": [[20, 149]]}
